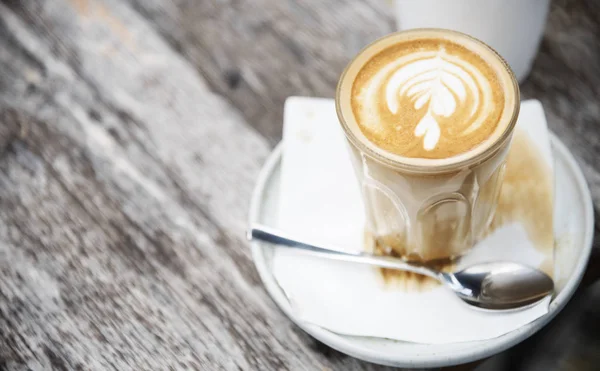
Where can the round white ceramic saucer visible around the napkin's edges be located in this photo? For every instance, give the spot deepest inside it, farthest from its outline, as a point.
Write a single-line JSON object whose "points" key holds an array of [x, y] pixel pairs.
{"points": [[574, 225]]}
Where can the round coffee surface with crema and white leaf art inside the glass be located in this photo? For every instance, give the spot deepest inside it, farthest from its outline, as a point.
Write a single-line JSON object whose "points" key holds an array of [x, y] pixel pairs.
{"points": [[427, 97]]}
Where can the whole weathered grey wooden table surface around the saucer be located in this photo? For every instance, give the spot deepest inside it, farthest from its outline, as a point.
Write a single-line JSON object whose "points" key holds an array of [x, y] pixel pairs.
{"points": [[131, 136]]}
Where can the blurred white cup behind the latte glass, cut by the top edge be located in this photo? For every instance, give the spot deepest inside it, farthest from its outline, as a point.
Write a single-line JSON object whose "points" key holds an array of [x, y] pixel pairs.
{"points": [[514, 28]]}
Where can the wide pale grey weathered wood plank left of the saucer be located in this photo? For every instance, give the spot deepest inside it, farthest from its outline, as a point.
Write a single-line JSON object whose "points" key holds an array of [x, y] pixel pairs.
{"points": [[122, 207]]}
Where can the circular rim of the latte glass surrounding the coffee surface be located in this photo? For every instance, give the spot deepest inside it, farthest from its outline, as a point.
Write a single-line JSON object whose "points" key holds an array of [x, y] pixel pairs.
{"points": [[429, 166]]}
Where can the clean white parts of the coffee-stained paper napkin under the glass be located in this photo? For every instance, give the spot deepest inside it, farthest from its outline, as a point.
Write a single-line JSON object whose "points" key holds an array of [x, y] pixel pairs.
{"points": [[320, 200]]}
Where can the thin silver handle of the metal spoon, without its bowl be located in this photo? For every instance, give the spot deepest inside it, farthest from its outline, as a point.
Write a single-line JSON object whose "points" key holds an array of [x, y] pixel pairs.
{"points": [[274, 236]]}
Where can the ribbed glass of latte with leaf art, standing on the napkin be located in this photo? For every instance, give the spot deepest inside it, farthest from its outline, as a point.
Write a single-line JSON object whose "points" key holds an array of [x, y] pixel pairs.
{"points": [[429, 116]]}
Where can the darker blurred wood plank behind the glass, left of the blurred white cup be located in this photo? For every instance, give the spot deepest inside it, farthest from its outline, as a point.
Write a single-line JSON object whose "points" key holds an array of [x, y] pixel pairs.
{"points": [[259, 52]]}
